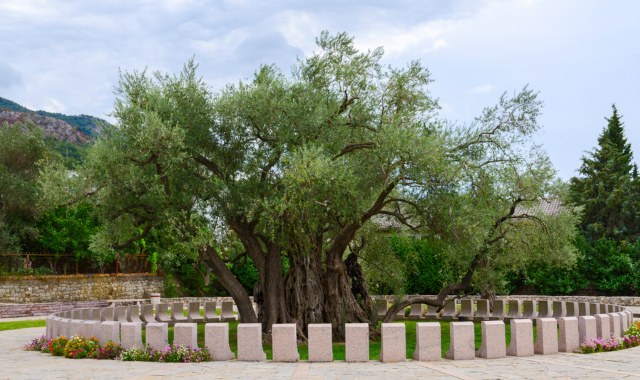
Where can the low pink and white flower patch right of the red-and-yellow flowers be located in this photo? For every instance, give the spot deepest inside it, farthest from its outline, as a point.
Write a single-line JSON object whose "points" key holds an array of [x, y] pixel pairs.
{"points": [[170, 354]]}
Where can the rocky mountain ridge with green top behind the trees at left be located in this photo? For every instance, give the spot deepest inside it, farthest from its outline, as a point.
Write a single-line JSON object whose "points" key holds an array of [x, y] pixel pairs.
{"points": [[77, 129]]}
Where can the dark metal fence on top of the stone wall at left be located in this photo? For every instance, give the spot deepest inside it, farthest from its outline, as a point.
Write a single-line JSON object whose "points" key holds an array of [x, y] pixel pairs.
{"points": [[68, 263]]}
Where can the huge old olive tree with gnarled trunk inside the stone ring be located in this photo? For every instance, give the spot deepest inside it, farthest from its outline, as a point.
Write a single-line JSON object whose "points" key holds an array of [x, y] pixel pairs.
{"points": [[299, 169]]}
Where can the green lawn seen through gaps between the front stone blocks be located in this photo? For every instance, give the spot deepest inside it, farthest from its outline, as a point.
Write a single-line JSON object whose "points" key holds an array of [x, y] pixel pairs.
{"points": [[339, 349]]}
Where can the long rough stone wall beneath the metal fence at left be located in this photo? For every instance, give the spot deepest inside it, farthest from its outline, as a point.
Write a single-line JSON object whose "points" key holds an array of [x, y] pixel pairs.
{"points": [[37, 289]]}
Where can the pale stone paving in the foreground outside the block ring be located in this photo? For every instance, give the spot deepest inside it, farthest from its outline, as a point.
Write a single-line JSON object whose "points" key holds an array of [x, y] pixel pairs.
{"points": [[18, 364]]}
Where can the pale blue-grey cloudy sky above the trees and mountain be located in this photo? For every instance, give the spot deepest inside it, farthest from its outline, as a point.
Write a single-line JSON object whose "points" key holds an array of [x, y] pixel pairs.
{"points": [[581, 55]]}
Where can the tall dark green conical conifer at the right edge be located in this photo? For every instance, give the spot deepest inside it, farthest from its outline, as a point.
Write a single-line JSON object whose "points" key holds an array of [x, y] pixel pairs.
{"points": [[607, 185]]}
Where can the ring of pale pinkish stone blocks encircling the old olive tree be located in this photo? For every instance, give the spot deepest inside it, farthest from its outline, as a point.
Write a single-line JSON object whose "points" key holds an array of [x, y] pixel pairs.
{"points": [[561, 327]]}
